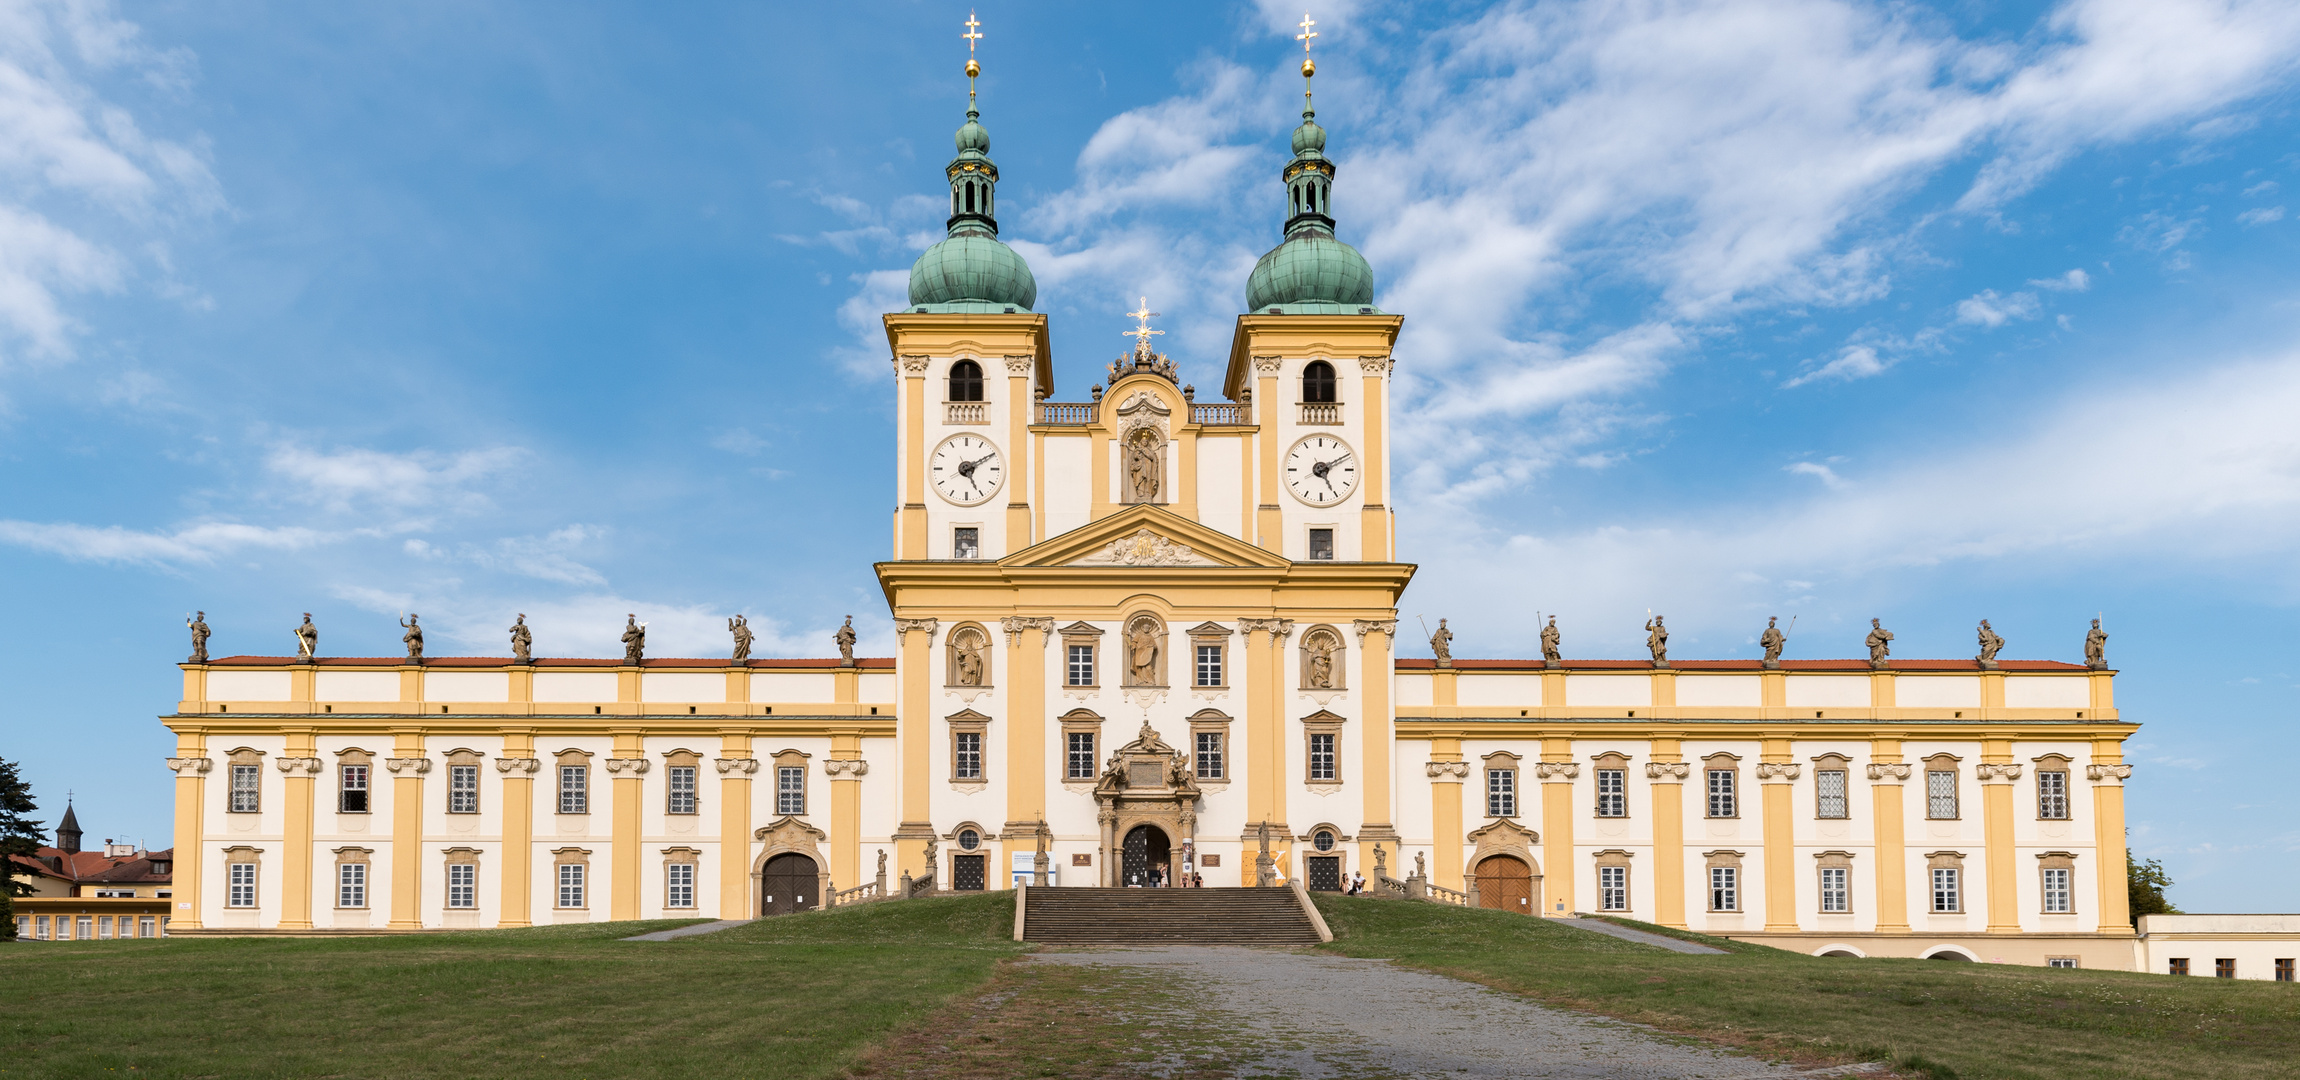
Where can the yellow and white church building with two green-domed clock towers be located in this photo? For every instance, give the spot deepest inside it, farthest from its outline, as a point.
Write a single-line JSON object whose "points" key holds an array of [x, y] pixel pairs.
{"points": [[1149, 638]]}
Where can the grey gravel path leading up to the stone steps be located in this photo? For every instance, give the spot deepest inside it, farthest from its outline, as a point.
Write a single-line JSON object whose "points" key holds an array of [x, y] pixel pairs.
{"points": [[1317, 1017]]}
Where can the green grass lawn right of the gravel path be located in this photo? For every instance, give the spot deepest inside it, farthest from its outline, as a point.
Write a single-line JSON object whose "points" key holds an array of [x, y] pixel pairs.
{"points": [[1929, 1017]]}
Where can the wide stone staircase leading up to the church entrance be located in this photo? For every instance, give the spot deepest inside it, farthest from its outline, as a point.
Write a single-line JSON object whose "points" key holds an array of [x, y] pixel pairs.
{"points": [[1057, 916]]}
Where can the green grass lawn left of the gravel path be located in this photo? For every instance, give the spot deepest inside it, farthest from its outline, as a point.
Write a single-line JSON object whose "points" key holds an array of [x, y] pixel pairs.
{"points": [[781, 998]]}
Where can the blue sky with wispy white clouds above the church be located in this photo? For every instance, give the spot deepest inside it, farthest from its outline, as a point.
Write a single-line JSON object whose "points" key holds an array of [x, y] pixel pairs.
{"points": [[1717, 309]]}
